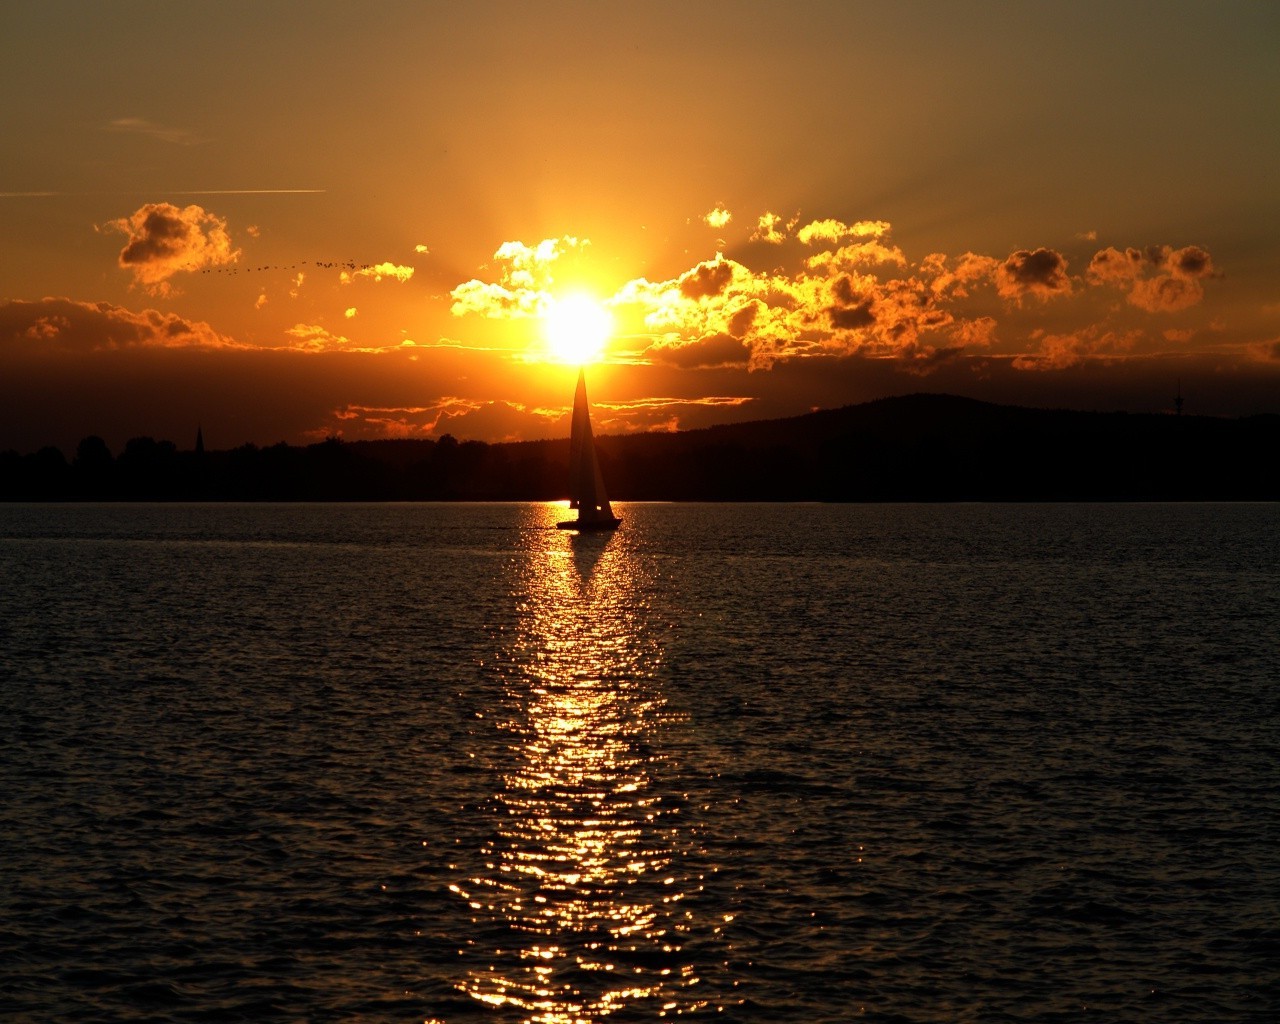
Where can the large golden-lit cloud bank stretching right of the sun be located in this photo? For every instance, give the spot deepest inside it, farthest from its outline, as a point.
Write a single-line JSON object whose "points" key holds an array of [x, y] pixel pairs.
{"points": [[860, 294]]}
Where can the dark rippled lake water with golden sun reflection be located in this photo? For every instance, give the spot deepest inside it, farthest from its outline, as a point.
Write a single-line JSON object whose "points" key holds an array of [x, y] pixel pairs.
{"points": [[739, 764]]}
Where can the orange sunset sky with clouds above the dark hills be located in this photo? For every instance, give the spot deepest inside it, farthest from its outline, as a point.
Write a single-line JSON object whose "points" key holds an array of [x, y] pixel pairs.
{"points": [[300, 221]]}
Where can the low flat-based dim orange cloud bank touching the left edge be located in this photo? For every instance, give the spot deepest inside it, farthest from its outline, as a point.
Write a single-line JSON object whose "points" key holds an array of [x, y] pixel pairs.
{"points": [[65, 324]]}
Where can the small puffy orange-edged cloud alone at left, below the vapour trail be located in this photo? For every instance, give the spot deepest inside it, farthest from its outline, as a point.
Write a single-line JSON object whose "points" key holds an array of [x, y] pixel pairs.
{"points": [[164, 240]]}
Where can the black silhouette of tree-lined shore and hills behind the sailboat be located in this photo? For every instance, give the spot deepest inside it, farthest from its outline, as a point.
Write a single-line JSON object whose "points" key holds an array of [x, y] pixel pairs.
{"points": [[920, 447]]}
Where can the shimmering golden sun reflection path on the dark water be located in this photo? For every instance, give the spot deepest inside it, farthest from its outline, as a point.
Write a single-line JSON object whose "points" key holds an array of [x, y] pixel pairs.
{"points": [[582, 907]]}
